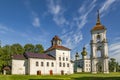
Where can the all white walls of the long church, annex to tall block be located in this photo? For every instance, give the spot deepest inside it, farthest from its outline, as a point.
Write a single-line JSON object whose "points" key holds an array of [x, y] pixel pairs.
{"points": [[28, 66]]}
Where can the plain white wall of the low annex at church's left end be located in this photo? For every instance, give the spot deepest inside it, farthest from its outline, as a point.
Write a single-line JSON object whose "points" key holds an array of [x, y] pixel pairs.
{"points": [[18, 66]]}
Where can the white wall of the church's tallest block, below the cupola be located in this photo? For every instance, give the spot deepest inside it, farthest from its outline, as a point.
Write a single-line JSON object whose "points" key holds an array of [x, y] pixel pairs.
{"points": [[64, 54]]}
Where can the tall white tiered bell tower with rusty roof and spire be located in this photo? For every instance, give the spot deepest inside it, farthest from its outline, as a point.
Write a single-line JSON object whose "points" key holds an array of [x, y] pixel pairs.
{"points": [[99, 48]]}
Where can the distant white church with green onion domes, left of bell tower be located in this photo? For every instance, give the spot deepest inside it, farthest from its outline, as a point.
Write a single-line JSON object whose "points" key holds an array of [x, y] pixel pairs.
{"points": [[83, 64]]}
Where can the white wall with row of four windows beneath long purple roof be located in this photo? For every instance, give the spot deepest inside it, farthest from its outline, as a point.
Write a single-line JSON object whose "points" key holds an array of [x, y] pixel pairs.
{"points": [[44, 69]]}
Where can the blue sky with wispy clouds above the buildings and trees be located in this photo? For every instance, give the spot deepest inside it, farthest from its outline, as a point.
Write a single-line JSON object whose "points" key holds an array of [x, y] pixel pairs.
{"points": [[37, 21]]}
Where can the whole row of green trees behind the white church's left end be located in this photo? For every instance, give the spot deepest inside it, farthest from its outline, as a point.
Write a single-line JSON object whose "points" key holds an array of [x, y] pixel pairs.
{"points": [[8, 50]]}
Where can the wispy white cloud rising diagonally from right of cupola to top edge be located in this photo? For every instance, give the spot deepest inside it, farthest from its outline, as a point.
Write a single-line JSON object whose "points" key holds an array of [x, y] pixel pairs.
{"points": [[73, 39]]}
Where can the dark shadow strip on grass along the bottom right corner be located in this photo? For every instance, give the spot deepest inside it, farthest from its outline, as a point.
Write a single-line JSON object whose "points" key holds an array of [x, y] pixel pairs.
{"points": [[96, 78]]}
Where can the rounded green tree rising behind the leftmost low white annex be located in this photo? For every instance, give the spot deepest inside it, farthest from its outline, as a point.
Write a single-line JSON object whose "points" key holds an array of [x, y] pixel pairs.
{"points": [[17, 49]]}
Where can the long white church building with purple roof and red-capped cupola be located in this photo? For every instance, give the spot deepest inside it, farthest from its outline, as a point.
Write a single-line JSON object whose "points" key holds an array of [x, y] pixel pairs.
{"points": [[56, 60]]}
